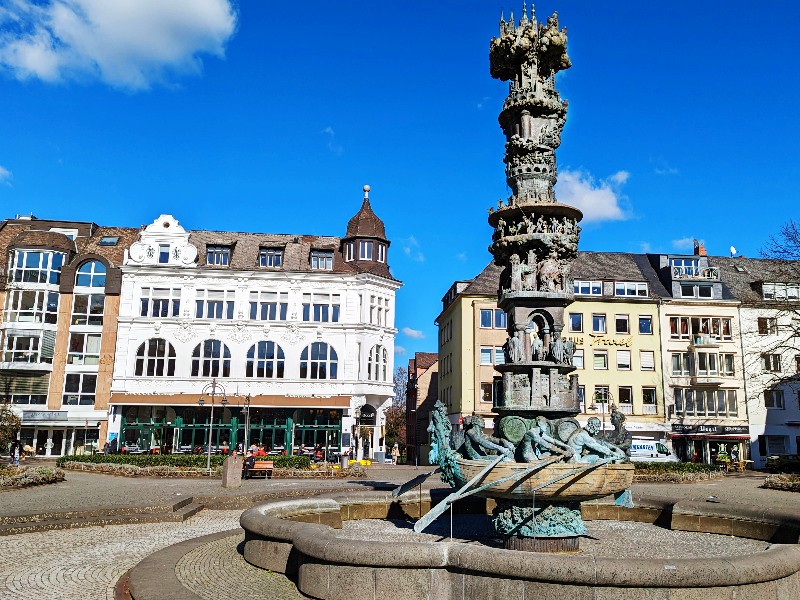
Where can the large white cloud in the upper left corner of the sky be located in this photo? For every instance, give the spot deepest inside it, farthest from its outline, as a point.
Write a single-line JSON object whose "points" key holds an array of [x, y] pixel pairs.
{"points": [[128, 44]]}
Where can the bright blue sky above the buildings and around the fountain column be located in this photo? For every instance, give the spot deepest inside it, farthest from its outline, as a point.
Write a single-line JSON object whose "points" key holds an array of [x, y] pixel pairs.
{"points": [[257, 117]]}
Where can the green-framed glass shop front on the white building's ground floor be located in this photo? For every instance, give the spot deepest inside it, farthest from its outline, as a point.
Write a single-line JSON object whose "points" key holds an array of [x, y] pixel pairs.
{"points": [[187, 428]]}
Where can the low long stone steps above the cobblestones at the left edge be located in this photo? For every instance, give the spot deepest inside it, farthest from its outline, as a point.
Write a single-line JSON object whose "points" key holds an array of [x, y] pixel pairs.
{"points": [[92, 518]]}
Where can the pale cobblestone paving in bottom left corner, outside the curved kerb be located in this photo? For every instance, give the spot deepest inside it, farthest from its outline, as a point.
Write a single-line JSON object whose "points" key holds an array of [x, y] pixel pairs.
{"points": [[85, 564]]}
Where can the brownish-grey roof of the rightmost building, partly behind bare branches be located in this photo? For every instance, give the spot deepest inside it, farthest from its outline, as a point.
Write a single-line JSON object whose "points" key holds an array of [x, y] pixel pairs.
{"points": [[745, 285]]}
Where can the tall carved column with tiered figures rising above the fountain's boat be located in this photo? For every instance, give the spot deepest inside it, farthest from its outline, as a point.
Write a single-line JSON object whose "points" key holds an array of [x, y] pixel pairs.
{"points": [[535, 237]]}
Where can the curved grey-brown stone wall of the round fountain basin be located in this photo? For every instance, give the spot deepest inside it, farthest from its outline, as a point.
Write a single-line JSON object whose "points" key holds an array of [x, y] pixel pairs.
{"points": [[296, 537]]}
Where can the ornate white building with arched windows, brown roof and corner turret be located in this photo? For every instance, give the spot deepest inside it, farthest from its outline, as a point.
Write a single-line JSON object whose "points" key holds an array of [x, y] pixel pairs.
{"points": [[296, 332]]}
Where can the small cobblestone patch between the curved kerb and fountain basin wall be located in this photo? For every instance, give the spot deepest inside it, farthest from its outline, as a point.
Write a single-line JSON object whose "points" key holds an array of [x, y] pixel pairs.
{"points": [[217, 570]]}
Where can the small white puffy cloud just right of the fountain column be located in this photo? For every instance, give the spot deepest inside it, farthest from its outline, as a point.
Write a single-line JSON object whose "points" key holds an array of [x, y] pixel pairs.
{"points": [[598, 200]]}
